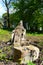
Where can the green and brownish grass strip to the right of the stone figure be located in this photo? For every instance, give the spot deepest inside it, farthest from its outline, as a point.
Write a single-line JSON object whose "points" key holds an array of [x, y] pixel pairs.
{"points": [[35, 37]]}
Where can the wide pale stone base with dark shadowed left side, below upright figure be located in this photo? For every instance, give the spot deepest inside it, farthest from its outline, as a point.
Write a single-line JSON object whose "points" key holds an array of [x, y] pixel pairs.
{"points": [[26, 53]]}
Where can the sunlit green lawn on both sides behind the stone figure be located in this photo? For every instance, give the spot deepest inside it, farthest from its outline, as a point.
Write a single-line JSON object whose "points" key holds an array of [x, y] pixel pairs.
{"points": [[6, 35]]}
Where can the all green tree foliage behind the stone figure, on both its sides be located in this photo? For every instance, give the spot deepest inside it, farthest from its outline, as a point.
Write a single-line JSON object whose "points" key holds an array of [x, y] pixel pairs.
{"points": [[30, 11]]}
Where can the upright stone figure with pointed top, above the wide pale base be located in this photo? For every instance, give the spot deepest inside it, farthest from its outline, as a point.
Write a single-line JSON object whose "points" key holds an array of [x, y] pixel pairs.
{"points": [[19, 34]]}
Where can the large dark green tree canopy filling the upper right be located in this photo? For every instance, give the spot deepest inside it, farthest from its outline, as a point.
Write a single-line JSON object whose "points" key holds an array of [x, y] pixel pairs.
{"points": [[30, 11]]}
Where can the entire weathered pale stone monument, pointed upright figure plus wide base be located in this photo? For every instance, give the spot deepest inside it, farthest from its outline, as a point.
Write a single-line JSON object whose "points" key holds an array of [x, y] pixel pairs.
{"points": [[27, 53]]}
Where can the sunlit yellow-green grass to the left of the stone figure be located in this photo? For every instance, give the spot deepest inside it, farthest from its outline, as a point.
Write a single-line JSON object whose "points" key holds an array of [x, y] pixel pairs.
{"points": [[4, 35]]}
